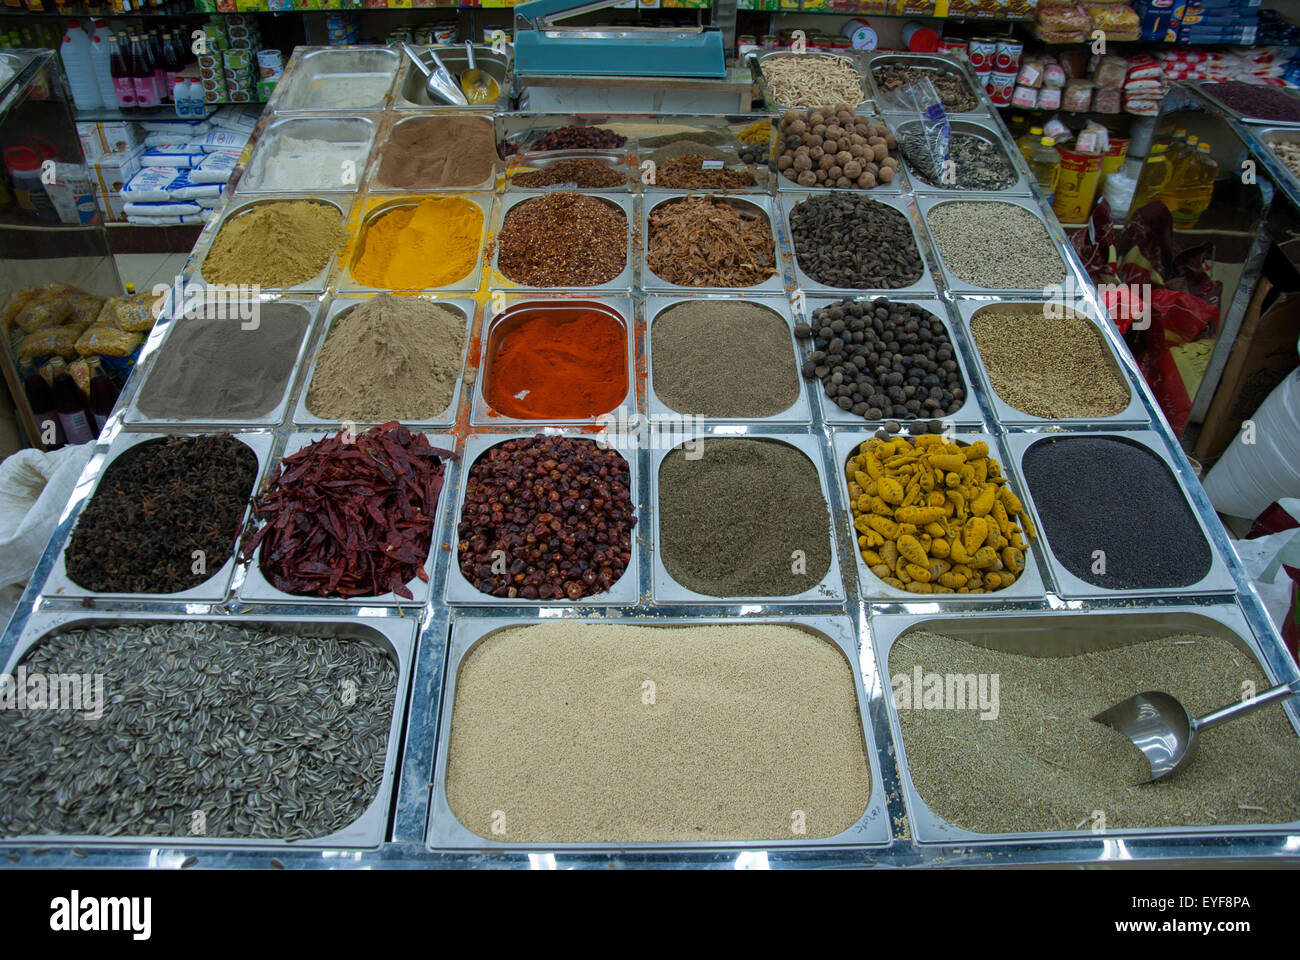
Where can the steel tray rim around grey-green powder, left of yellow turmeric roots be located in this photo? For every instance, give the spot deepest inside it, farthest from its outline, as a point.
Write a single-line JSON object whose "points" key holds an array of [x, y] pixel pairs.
{"points": [[829, 590]]}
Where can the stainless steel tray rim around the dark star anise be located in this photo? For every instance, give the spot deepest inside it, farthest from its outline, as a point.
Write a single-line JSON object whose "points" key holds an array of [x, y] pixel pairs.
{"points": [[214, 590]]}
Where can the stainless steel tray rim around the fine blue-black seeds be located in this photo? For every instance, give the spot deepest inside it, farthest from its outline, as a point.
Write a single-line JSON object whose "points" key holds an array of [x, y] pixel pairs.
{"points": [[1219, 578]]}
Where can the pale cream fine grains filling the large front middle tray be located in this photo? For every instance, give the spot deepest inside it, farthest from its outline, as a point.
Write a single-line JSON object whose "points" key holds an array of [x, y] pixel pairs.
{"points": [[748, 725]]}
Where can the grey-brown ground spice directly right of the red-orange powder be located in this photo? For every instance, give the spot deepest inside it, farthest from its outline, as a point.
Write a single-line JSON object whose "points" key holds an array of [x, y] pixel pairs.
{"points": [[697, 348]]}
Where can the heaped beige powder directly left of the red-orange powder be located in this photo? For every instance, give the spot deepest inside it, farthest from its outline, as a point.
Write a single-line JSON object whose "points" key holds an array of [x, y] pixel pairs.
{"points": [[391, 358]]}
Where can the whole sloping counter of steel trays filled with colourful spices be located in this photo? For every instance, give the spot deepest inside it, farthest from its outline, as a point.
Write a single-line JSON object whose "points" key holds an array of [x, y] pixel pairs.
{"points": [[601, 455]]}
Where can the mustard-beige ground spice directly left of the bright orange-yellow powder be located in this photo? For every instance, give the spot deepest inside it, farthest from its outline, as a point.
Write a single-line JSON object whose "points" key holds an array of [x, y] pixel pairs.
{"points": [[276, 245]]}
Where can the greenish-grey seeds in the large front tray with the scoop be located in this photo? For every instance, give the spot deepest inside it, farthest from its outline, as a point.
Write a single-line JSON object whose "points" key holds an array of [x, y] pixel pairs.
{"points": [[1045, 766]]}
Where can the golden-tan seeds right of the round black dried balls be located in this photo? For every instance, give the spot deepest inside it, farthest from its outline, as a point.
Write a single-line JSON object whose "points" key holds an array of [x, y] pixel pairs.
{"points": [[1050, 366]]}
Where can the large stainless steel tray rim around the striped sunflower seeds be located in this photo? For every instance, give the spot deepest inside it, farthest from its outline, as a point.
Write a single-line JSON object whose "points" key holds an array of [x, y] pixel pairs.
{"points": [[369, 832]]}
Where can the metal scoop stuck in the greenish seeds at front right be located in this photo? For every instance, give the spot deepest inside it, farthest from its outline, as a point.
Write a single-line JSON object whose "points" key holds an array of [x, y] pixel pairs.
{"points": [[1163, 729]]}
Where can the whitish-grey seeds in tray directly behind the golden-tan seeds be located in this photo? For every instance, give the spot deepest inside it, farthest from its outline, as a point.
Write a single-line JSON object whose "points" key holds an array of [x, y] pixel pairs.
{"points": [[995, 245]]}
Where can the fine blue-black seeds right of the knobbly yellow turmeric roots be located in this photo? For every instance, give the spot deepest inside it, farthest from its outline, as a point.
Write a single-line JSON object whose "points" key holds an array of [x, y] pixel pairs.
{"points": [[1116, 498]]}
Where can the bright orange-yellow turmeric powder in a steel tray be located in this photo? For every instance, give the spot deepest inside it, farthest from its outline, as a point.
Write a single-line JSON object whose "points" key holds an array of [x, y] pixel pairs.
{"points": [[421, 248]]}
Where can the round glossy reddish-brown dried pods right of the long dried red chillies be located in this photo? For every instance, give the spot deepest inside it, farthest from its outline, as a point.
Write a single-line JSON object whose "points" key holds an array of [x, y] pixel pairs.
{"points": [[547, 518]]}
